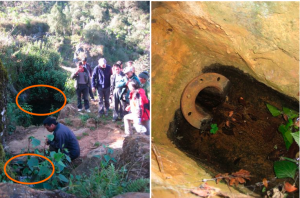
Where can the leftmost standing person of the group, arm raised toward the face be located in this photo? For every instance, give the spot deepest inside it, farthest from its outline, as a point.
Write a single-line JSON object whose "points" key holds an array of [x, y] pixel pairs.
{"points": [[82, 86]]}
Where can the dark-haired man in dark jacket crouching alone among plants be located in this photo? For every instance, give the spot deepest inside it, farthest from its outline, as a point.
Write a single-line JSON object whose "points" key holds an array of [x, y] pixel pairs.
{"points": [[64, 138]]}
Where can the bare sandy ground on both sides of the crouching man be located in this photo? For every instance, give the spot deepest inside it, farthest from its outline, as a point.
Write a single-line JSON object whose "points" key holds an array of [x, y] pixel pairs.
{"points": [[90, 136]]}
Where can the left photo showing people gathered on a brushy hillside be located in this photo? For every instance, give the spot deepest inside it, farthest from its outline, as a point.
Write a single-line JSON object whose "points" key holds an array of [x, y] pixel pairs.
{"points": [[75, 99]]}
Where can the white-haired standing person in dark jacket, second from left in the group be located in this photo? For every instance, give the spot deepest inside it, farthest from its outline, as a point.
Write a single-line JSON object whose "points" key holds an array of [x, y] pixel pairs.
{"points": [[101, 81]]}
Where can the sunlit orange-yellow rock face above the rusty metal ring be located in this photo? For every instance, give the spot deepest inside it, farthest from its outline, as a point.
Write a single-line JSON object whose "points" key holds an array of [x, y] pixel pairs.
{"points": [[259, 38]]}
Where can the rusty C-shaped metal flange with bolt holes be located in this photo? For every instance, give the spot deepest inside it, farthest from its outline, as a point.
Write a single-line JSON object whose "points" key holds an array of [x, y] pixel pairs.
{"points": [[193, 113]]}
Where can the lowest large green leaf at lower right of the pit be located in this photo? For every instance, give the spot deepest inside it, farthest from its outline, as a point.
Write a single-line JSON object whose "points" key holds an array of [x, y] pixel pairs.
{"points": [[284, 169]]}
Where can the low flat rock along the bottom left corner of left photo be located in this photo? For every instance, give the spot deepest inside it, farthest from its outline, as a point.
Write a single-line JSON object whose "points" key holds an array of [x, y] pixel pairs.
{"points": [[17, 190]]}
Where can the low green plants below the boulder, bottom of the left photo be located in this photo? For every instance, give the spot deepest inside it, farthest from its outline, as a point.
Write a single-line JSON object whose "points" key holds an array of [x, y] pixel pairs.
{"points": [[106, 181]]}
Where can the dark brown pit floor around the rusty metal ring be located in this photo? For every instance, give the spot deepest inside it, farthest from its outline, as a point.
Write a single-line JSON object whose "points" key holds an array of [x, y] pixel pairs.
{"points": [[247, 135]]}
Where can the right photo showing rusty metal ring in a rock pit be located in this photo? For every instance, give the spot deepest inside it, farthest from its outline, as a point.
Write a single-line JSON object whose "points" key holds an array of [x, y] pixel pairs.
{"points": [[225, 99]]}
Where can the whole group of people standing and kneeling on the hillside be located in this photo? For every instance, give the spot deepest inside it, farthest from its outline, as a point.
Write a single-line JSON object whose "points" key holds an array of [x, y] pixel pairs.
{"points": [[129, 93]]}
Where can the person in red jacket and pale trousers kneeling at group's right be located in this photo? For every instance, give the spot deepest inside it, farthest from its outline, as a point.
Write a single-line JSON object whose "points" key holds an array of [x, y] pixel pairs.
{"points": [[139, 115]]}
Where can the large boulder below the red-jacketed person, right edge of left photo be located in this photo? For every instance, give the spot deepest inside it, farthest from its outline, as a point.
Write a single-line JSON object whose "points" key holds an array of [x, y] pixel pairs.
{"points": [[136, 156]]}
